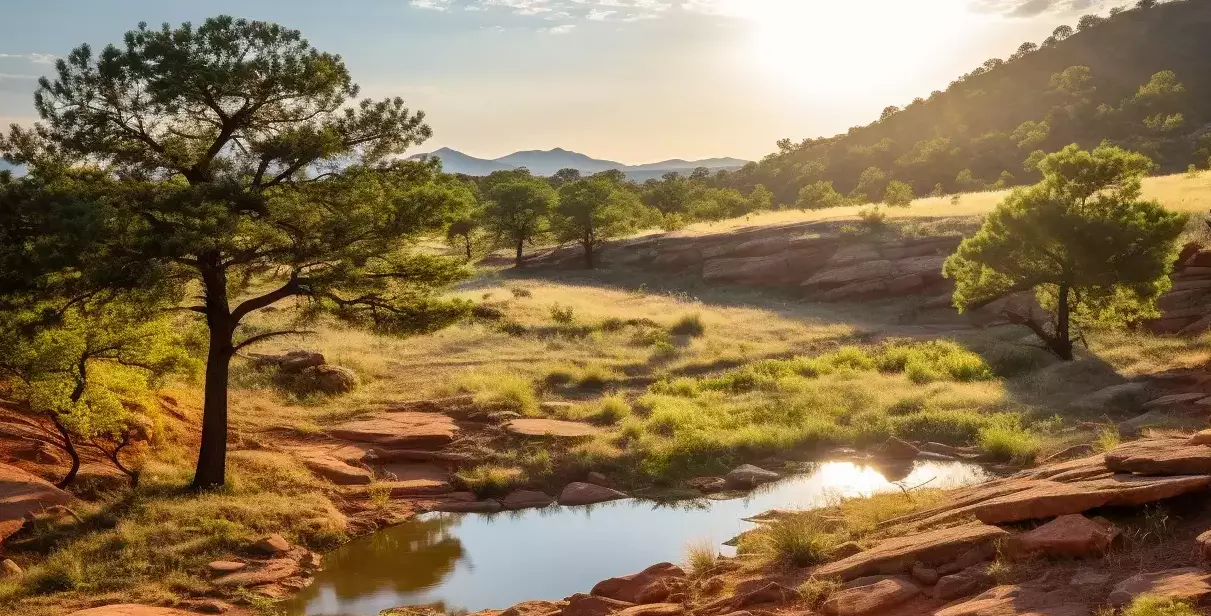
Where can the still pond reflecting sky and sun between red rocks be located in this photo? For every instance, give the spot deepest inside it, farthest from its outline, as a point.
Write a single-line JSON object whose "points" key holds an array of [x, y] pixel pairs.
{"points": [[477, 562]]}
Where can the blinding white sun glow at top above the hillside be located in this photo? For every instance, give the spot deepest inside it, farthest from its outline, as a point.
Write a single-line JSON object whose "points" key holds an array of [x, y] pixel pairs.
{"points": [[818, 48]]}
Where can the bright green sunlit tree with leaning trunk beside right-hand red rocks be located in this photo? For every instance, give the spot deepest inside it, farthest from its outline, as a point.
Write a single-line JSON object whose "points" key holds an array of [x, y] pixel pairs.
{"points": [[1083, 240]]}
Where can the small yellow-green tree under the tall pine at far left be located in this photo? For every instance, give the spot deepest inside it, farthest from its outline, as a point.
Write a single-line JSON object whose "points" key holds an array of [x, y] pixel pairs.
{"points": [[77, 366]]}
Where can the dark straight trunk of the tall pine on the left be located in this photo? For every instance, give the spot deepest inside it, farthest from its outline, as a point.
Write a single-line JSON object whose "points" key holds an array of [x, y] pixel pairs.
{"points": [[211, 471]]}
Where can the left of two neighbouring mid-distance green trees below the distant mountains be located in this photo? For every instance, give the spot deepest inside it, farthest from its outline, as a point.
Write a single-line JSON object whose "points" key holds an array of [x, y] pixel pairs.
{"points": [[519, 211]]}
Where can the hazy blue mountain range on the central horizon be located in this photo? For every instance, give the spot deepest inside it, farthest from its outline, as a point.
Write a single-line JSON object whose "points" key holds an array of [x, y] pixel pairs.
{"points": [[547, 163]]}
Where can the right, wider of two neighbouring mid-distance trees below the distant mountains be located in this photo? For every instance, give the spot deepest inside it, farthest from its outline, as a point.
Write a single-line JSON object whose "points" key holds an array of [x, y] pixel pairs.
{"points": [[593, 211]]}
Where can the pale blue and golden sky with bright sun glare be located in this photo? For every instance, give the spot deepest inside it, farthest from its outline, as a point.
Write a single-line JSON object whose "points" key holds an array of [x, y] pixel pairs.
{"points": [[629, 80]]}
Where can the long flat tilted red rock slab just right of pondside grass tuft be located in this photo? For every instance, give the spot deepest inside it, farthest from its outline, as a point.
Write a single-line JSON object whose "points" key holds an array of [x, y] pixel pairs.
{"points": [[899, 555]]}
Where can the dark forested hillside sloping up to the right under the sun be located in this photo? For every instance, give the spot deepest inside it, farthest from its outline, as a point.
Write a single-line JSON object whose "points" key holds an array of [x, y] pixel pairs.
{"points": [[1137, 78]]}
